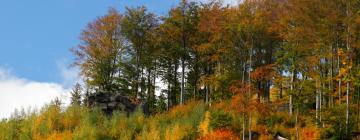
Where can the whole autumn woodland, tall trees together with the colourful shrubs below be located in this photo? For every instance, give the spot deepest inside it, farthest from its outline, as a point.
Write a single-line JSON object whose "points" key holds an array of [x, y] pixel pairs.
{"points": [[261, 69]]}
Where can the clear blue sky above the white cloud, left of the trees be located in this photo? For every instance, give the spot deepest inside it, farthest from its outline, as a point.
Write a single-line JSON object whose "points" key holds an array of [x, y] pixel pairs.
{"points": [[35, 36]]}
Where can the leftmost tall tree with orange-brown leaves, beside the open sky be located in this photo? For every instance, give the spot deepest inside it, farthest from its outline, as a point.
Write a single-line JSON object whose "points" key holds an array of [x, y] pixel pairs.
{"points": [[100, 52]]}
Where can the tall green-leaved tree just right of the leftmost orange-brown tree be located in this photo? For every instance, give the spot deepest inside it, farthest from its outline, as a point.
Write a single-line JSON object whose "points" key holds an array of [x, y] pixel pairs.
{"points": [[139, 28]]}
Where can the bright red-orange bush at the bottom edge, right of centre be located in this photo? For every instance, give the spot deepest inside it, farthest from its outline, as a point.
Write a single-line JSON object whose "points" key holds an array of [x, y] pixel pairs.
{"points": [[221, 134]]}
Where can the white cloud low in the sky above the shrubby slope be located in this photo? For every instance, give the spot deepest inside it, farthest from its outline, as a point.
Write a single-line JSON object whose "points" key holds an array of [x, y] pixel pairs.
{"points": [[16, 93]]}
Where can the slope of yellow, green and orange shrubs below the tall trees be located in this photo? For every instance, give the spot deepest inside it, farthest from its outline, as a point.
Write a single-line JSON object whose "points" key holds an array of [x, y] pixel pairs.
{"points": [[191, 121]]}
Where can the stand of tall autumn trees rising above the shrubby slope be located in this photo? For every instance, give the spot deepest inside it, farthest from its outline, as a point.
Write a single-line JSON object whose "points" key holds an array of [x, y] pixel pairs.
{"points": [[304, 54]]}
